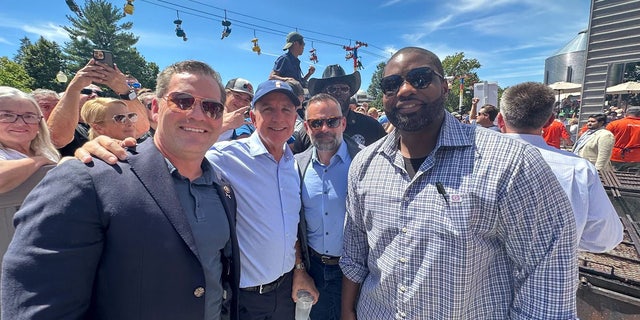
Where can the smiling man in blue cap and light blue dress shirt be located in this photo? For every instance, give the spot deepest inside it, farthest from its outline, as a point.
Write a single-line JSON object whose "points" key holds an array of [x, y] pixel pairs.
{"points": [[262, 170]]}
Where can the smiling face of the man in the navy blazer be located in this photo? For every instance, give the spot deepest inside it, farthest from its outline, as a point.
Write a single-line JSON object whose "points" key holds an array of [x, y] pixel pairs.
{"points": [[187, 134]]}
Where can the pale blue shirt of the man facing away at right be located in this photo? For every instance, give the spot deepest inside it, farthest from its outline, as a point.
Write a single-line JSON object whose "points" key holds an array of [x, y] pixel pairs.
{"points": [[598, 227]]}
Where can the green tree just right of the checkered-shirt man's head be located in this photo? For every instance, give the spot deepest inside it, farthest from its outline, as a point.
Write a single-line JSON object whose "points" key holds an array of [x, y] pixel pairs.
{"points": [[457, 66]]}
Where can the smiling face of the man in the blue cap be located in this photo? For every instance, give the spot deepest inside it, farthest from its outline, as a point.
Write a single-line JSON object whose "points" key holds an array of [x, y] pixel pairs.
{"points": [[274, 117]]}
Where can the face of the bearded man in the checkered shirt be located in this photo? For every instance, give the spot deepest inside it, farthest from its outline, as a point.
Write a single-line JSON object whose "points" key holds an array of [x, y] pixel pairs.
{"points": [[411, 109]]}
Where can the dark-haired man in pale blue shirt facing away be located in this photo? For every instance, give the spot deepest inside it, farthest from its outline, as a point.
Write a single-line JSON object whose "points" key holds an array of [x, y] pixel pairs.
{"points": [[525, 109]]}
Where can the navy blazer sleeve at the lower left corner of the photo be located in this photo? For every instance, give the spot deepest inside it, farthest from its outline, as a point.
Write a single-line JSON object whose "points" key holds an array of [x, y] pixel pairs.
{"points": [[49, 268]]}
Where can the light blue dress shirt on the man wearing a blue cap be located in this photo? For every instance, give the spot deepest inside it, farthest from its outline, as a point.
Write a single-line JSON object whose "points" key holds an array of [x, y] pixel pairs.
{"points": [[268, 197]]}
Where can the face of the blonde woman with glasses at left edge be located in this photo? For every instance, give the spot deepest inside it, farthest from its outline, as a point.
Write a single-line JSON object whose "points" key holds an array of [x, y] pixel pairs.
{"points": [[18, 135]]}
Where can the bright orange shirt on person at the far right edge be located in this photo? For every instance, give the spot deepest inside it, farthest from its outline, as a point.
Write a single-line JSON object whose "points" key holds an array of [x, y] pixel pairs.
{"points": [[627, 134]]}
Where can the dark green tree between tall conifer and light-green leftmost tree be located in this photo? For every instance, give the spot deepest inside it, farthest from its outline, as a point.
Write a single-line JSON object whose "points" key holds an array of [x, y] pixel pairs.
{"points": [[42, 61]]}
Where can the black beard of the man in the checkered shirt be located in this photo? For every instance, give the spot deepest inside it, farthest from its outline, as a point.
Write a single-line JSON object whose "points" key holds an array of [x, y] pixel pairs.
{"points": [[418, 120]]}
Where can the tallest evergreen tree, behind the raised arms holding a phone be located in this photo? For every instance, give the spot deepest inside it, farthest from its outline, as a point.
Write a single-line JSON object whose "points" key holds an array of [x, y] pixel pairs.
{"points": [[99, 28]]}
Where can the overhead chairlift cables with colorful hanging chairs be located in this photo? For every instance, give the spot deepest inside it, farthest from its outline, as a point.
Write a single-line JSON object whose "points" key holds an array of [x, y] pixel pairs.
{"points": [[352, 52]]}
